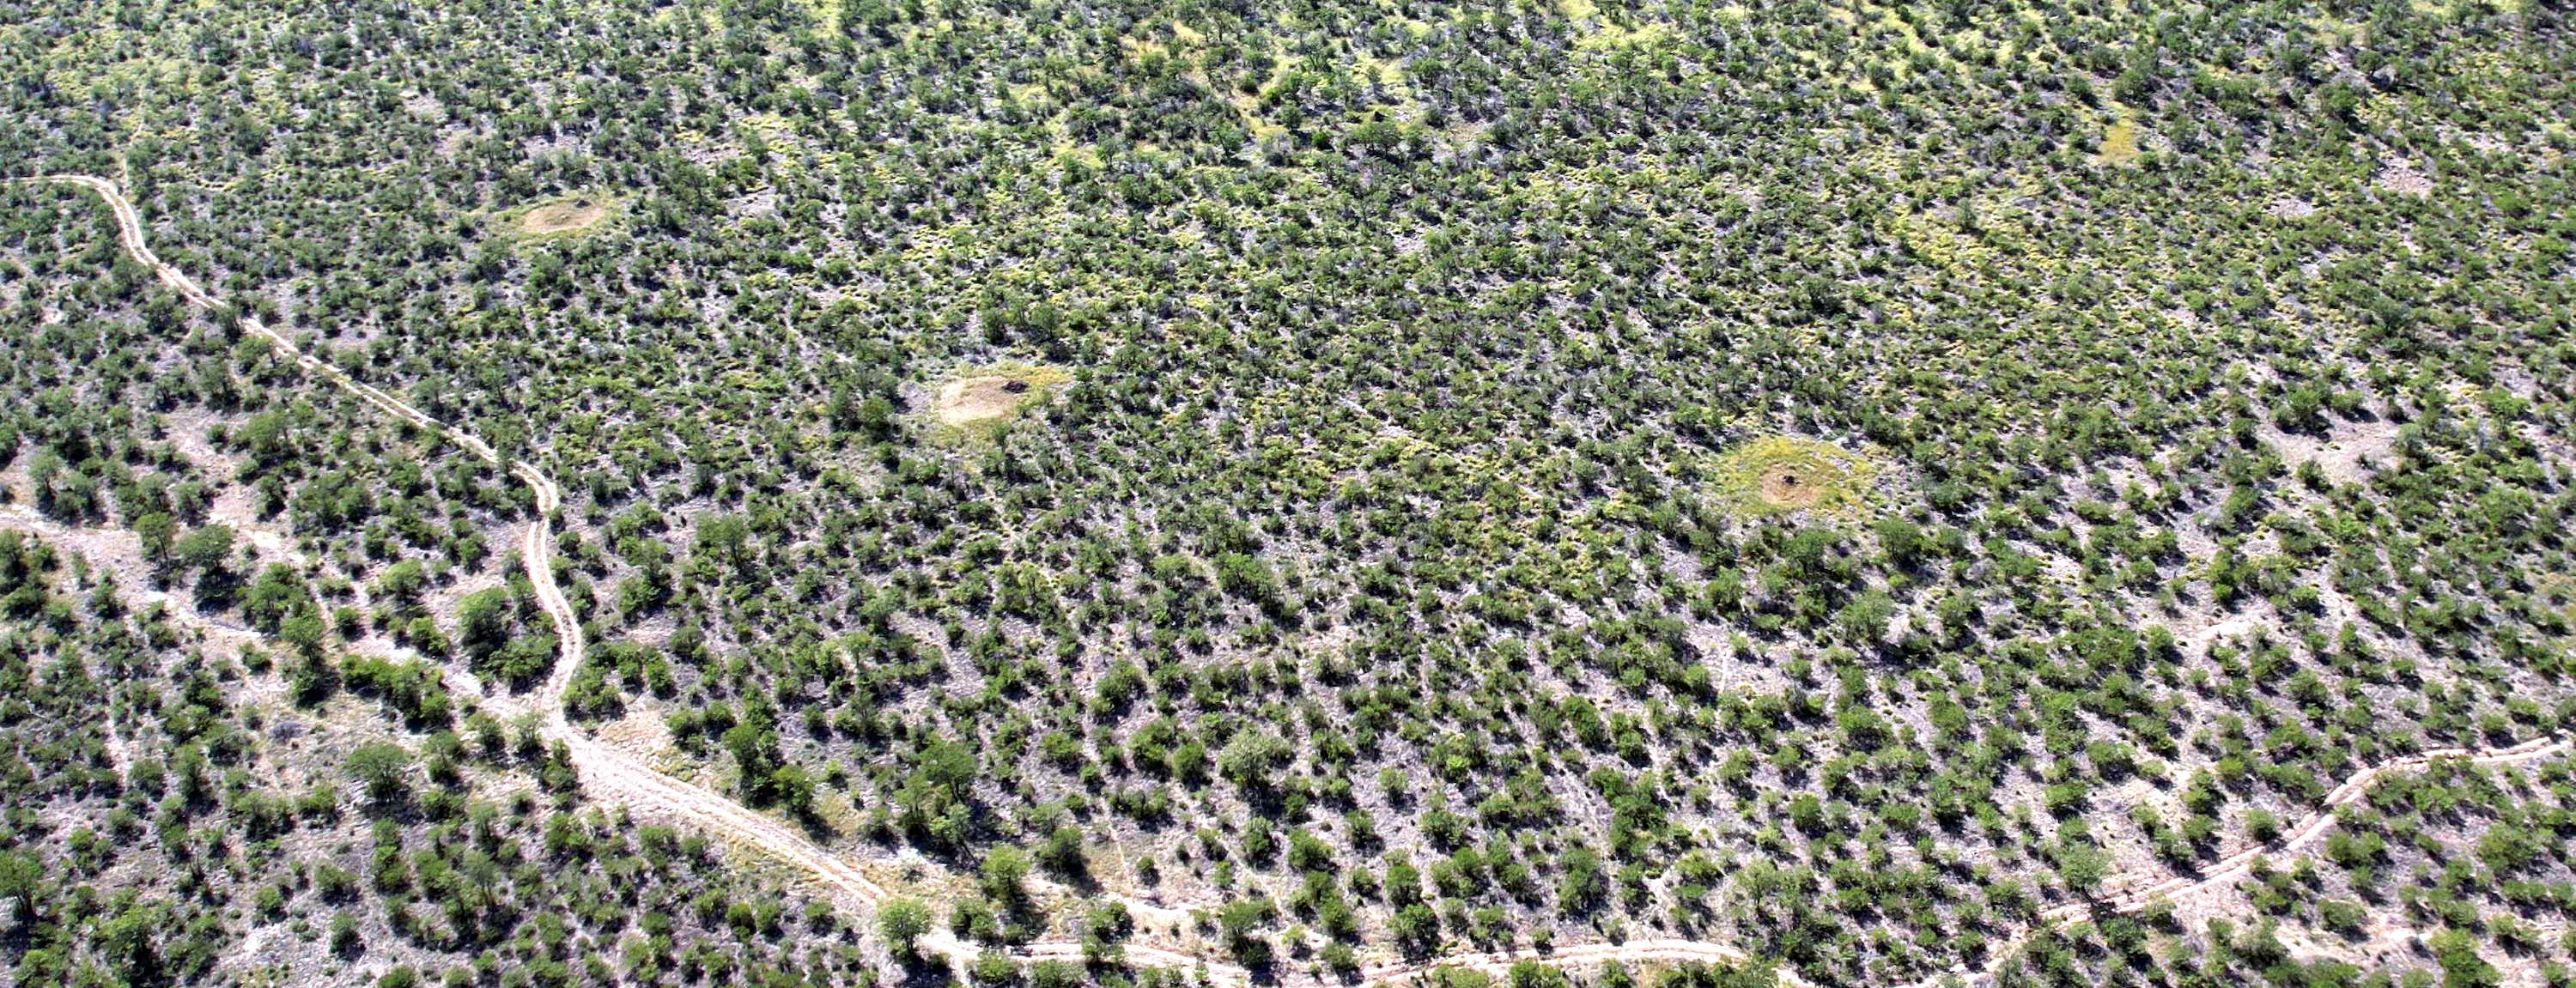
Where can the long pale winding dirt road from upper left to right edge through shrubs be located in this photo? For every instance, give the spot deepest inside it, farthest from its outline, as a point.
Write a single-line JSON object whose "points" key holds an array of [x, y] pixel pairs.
{"points": [[617, 776]]}
